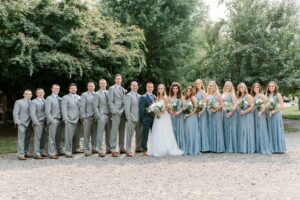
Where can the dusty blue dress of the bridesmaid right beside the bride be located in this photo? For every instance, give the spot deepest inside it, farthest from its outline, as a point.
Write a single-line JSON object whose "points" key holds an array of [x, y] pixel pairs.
{"points": [[178, 125]]}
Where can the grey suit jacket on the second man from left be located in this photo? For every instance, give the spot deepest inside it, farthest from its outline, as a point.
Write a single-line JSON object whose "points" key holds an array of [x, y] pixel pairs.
{"points": [[37, 111]]}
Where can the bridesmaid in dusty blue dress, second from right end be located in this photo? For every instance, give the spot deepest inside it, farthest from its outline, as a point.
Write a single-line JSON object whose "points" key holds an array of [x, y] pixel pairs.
{"points": [[262, 142]]}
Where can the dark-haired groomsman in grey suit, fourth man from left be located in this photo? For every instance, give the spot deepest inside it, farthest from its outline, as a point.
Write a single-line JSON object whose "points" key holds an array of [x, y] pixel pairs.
{"points": [[70, 114]]}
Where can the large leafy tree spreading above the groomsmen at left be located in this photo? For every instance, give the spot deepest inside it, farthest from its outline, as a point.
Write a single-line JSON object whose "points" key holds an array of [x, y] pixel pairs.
{"points": [[47, 41]]}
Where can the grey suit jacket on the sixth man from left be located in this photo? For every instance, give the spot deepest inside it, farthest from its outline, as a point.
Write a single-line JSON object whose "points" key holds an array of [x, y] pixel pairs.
{"points": [[100, 104]]}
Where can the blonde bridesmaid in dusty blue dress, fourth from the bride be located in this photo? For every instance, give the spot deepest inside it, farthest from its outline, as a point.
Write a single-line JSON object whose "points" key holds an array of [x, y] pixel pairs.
{"points": [[215, 124]]}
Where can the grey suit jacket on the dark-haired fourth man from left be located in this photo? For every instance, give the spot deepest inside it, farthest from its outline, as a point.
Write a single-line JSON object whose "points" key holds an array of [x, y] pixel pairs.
{"points": [[70, 108]]}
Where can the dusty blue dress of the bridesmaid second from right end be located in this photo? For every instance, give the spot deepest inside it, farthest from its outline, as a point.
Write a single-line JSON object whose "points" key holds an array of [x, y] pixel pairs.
{"points": [[262, 142]]}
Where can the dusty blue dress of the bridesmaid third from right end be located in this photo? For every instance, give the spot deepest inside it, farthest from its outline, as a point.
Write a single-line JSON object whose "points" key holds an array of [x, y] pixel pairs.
{"points": [[246, 135]]}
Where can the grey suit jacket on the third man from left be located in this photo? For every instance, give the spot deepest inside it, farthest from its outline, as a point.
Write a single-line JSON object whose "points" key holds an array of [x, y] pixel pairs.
{"points": [[53, 108]]}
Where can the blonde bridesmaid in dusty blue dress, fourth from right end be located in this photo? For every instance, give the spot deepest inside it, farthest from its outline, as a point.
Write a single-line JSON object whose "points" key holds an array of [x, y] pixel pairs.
{"points": [[230, 118]]}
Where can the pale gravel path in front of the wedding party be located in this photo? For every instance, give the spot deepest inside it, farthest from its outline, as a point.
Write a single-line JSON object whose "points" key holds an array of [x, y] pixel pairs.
{"points": [[207, 176]]}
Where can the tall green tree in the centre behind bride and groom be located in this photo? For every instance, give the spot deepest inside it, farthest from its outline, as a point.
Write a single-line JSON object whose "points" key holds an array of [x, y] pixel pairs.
{"points": [[168, 25]]}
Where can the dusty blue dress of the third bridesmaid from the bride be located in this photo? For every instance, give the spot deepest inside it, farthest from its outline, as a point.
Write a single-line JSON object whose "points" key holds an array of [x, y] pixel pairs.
{"points": [[202, 125]]}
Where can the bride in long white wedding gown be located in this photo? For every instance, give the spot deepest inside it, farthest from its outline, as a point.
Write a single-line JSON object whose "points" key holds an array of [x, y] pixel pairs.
{"points": [[162, 140]]}
